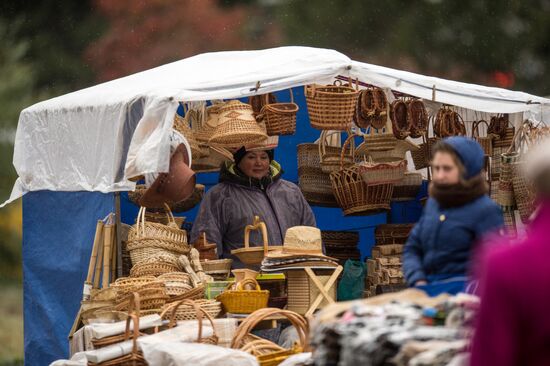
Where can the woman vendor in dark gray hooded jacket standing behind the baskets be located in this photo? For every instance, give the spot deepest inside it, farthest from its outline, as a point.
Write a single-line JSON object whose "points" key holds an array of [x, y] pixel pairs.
{"points": [[250, 186]]}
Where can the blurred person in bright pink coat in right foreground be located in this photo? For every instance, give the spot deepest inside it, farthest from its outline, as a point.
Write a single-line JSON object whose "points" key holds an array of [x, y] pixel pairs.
{"points": [[513, 325]]}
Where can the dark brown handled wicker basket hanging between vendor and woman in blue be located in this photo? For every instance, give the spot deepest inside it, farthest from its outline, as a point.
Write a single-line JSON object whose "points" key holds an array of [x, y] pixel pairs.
{"points": [[354, 195]]}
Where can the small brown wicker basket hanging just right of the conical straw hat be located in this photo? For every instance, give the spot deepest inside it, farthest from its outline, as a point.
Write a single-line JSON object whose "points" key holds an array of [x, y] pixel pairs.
{"points": [[279, 118]]}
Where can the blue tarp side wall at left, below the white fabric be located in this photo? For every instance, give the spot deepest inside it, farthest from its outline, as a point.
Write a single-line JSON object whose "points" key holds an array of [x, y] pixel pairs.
{"points": [[58, 233]]}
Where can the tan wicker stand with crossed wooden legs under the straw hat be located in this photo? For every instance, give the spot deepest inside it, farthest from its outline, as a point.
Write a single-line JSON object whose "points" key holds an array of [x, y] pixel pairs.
{"points": [[302, 291]]}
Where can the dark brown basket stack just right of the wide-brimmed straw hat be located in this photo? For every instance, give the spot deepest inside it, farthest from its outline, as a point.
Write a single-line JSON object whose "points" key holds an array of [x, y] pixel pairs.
{"points": [[341, 245]]}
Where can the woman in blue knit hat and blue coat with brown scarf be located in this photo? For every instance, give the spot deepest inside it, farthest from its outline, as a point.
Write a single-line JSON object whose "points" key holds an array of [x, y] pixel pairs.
{"points": [[458, 214]]}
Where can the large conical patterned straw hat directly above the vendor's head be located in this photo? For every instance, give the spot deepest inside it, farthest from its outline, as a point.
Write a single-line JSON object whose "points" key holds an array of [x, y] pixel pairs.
{"points": [[237, 126]]}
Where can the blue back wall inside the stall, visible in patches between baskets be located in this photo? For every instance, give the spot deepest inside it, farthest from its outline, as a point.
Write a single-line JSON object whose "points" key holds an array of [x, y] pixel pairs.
{"points": [[327, 218]]}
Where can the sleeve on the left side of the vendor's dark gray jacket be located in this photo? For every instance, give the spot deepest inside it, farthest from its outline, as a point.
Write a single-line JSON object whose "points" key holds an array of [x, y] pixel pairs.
{"points": [[211, 218]]}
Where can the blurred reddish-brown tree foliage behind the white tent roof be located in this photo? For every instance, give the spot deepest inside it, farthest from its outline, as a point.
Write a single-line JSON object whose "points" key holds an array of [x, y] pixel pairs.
{"points": [[143, 35]]}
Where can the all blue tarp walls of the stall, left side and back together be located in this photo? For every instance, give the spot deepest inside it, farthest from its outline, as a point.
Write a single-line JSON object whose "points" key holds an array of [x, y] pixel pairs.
{"points": [[59, 227]]}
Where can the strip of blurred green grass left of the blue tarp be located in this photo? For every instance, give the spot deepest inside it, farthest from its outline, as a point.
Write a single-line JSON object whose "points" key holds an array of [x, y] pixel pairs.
{"points": [[11, 324]]}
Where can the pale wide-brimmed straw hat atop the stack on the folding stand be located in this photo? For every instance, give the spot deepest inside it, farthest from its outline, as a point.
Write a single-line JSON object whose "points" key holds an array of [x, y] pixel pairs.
{"points": [[301, 241]]}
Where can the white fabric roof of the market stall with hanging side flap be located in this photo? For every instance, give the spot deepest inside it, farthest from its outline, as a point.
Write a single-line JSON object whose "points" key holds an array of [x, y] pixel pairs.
{"points": [[96, 138]]}
